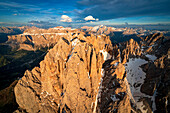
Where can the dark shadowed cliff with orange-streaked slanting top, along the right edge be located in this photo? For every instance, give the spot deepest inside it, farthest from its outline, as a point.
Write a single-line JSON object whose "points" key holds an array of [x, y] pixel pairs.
{"points": [[157, 71]]}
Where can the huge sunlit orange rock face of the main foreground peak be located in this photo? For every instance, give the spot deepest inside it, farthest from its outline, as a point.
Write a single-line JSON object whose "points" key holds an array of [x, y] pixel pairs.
{"points": [[67, 79]]}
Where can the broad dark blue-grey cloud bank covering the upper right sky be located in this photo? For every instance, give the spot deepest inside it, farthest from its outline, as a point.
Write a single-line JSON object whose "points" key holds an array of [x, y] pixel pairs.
{"points": [[112, 9]]}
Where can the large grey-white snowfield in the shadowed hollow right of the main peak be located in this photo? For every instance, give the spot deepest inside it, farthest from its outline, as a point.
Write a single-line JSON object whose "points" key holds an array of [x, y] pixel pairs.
{"points": [[134, 80]]}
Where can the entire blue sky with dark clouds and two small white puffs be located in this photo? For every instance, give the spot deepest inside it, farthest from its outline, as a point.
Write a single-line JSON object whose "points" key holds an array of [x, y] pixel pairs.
{"points": [[83, 12]]}
